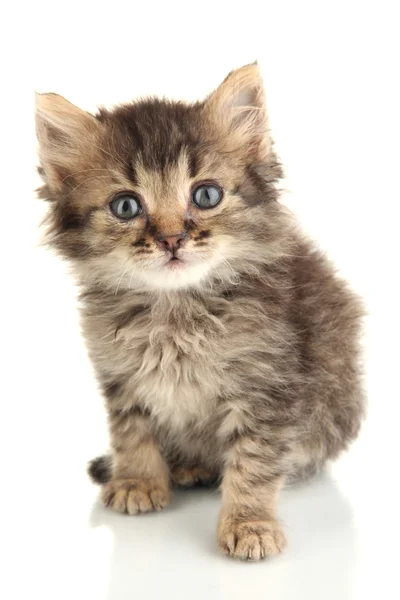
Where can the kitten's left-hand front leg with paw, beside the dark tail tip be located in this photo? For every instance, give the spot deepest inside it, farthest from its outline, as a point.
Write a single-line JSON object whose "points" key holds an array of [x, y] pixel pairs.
{"points": [[140, 477]]}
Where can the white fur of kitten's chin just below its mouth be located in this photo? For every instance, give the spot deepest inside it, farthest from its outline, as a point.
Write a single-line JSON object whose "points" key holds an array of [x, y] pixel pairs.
{"points": [[176, 276]]}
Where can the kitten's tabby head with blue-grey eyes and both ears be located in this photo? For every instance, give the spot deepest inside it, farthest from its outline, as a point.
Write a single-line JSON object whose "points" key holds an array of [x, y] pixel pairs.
{"points": [[158, 194]]}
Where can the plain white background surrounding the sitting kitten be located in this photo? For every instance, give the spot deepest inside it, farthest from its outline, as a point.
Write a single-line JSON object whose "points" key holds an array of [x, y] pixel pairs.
{"points": [[331, 71]]}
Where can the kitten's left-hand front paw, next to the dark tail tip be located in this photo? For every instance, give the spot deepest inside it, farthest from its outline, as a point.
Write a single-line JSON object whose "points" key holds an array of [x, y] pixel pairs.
{"points": [[134, 496]]}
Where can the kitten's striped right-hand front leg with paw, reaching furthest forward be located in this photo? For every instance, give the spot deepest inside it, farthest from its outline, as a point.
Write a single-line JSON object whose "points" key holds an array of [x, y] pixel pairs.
{"points": [[247, 527]]}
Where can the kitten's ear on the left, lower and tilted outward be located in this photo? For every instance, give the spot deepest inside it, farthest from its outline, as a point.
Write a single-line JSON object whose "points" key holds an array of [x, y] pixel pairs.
{"points": [[64, 132]]}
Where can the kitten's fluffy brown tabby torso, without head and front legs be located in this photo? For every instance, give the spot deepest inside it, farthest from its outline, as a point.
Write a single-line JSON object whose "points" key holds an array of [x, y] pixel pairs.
{"points": [[188, 360]]}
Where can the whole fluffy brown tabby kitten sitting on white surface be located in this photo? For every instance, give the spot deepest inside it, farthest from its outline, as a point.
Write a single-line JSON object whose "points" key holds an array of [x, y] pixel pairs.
{"points": [[225, 345]]}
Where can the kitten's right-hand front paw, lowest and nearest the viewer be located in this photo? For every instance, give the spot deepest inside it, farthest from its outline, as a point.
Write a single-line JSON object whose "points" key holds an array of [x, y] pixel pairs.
{"points": [[250, 540]]}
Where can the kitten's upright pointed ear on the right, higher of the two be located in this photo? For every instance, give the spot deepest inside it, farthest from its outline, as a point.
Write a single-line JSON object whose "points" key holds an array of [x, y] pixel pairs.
{"points": [[238, 108]]}
